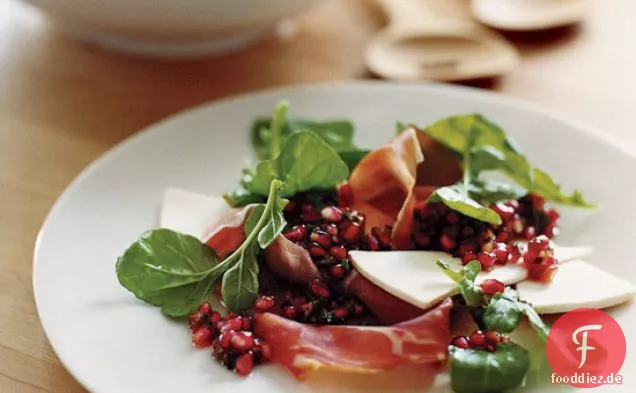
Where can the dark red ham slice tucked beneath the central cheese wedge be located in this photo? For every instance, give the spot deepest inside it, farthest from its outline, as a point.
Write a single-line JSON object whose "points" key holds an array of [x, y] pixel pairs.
{"points": [[388, 308]]}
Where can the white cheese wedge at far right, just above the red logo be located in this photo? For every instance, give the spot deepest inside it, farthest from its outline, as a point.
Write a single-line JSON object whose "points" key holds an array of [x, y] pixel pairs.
{"points": [[576, 284]]}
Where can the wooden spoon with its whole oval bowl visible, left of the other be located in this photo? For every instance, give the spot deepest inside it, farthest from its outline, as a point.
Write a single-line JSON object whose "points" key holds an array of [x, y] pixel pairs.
{"points": [[420, 44]]}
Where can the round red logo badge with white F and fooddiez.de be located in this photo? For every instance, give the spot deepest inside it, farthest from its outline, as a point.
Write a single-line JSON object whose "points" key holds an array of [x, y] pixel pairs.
{"points": [[586, 348]]}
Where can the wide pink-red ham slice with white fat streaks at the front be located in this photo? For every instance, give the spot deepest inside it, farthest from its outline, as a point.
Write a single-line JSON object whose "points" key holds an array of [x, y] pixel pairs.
{"points": [[303, 348]]}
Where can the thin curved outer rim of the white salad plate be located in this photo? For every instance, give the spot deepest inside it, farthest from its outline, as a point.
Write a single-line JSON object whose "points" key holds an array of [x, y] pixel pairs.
{"points": [[495, 97]]}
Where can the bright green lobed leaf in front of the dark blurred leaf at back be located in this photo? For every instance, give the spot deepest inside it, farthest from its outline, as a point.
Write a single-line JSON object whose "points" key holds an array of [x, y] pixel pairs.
{"points": [[305, 163]]}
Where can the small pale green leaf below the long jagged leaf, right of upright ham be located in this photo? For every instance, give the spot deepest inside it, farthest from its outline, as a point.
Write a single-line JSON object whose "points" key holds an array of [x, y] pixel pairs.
{"points": [[457, 198]]}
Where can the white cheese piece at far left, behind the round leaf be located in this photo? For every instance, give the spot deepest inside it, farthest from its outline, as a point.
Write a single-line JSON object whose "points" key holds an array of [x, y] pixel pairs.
{"points": [[189, 212]]}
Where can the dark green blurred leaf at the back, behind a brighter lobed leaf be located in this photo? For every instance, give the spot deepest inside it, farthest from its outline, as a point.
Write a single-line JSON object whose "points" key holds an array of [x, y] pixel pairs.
{"points": [[268, 135]]}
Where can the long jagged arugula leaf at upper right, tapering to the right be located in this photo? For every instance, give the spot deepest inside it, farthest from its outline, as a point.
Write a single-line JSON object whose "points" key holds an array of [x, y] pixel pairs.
{"points": [[491, 149]]}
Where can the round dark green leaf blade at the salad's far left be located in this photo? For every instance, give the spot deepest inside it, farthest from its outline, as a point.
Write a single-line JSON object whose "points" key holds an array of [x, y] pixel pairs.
{"points": [[167, 269]]}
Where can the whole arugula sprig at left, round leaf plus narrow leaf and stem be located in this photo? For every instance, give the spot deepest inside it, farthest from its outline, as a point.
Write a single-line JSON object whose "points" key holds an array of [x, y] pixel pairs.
{"points": [[176, 272]]}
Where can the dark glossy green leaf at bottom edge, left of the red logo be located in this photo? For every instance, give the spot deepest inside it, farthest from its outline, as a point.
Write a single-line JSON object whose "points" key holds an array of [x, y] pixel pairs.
{"points": [[480, 371]]}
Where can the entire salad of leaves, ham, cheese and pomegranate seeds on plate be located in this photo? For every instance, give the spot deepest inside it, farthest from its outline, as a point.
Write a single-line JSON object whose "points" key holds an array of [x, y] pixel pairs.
{"points": [[331, 256]]}
